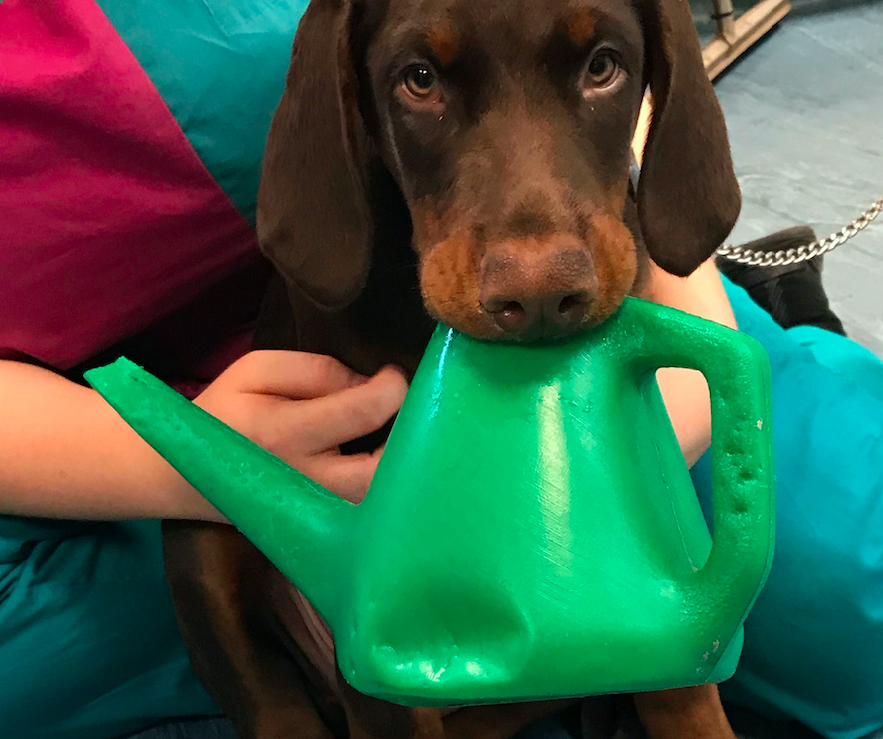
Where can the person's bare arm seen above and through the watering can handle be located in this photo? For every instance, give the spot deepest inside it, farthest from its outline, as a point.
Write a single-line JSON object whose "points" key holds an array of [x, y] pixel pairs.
{"points": [[685, 392]]}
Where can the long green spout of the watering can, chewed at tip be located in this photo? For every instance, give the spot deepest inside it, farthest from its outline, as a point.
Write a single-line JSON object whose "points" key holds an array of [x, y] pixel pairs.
{"points": [[296, 523]]}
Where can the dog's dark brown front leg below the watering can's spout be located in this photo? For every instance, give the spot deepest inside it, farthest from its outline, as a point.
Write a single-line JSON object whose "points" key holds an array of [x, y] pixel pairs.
{"points": [[218, 582]]}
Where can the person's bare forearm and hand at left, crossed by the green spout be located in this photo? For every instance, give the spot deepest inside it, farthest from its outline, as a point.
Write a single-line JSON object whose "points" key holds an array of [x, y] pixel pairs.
{"points": [[65, 453]]}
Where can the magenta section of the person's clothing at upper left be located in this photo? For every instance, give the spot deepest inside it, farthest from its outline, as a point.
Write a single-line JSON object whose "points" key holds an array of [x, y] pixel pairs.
{"points": [[109, 221]]}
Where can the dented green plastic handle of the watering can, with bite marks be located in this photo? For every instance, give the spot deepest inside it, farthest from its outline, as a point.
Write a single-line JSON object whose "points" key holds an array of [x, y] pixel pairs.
{"points": [[737, 370]]}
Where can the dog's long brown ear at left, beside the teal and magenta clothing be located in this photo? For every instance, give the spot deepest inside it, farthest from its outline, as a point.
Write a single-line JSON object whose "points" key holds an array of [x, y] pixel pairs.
{"points": [[314, 218]]}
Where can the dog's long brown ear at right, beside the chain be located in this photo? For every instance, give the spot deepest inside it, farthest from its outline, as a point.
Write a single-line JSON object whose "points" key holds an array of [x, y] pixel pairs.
{"points": [[688, 195]]}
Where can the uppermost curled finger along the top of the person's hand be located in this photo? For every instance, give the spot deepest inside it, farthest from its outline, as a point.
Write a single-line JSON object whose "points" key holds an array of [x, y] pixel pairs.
{"points": [[295, 375]]}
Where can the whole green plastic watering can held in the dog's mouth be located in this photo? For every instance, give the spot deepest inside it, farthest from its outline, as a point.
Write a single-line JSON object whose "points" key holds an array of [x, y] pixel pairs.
{"points": [[532, 530]]}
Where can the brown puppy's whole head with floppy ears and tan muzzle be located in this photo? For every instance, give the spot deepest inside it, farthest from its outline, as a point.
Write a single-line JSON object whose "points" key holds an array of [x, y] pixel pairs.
{"points": [[505, 128]]}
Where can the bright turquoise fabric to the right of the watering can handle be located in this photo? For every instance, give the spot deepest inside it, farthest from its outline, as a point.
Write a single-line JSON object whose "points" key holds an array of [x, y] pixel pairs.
{"points": [[814, 641]]}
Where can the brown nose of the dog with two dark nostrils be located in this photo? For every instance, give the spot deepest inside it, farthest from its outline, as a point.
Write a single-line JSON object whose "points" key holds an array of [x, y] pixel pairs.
{"points": [[535, 292]]}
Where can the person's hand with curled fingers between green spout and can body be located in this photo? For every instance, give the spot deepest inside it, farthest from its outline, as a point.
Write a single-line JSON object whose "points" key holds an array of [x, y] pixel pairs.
{"points": [[302, 407]]}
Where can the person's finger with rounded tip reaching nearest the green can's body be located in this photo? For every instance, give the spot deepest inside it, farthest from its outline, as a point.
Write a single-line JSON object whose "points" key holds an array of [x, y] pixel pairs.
{"points": [[354, 412]]}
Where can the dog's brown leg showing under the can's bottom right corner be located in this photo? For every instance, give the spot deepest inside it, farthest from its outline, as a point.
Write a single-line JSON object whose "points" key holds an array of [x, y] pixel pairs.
{"points": [[684, 713]]}
